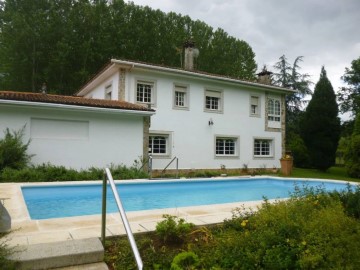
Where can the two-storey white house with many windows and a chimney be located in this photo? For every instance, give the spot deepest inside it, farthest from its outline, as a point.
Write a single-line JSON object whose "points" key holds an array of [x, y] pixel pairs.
{"points": [[207, 121]]}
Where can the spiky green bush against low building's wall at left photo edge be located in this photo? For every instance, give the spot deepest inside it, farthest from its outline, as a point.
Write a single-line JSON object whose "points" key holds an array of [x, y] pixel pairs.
{"points": [[13, 150]]}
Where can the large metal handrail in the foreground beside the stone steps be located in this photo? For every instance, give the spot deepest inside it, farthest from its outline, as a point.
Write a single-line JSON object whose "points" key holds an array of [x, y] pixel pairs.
{"points": [[124, 219]]}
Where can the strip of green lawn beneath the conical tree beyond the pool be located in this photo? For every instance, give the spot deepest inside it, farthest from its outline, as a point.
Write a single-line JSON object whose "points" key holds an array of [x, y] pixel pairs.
{"points": [[336, 173]]}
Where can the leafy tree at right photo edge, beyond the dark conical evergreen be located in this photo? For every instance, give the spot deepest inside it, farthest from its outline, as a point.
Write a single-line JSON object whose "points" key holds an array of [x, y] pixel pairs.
{"points": [[349, 97]]}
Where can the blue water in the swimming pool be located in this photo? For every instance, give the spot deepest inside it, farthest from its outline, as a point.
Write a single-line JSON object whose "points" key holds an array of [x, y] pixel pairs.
{"points": [[44, 202]]}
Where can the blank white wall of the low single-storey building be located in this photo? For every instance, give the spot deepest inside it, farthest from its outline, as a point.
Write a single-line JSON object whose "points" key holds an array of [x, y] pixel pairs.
{"points": [[76, 139]]}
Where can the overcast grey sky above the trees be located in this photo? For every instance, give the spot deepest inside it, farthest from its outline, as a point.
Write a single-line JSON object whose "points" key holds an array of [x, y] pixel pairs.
{"points": [[325, 32]]}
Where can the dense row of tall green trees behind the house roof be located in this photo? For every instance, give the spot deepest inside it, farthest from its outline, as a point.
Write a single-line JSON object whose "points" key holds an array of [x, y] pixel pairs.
{"points": [[64, 42]]}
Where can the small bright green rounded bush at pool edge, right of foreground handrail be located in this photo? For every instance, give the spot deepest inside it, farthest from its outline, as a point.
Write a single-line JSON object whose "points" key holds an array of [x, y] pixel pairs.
{"points": [[173, 229]]}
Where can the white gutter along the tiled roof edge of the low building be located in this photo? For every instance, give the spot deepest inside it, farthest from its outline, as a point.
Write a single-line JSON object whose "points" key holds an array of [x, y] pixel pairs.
{"points": [[75, 108]]}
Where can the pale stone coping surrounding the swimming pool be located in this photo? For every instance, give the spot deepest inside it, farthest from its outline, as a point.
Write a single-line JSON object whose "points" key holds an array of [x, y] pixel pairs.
{"points": [[25, 231]]}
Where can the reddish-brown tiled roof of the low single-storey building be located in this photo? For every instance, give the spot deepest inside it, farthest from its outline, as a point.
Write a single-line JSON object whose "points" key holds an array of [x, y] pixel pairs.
{"points": [[70, 100]]}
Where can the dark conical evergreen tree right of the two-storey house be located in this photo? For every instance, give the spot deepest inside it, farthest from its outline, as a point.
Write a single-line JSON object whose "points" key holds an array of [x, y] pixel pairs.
{"points": [[321, 126]]}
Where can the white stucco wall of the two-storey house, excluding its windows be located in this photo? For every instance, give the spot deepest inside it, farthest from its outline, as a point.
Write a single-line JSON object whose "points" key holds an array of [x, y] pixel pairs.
{"points": [[192, 139]]}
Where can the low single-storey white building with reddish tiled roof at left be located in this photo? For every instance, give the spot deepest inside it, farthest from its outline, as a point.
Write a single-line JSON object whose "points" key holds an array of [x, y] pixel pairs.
{"points": [[76, 132]]}
